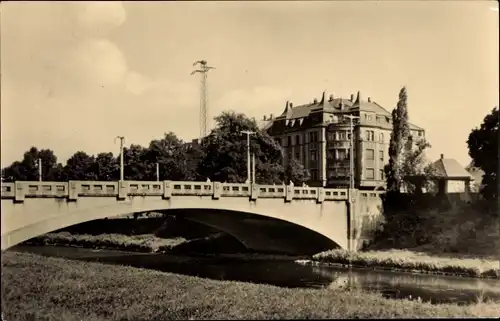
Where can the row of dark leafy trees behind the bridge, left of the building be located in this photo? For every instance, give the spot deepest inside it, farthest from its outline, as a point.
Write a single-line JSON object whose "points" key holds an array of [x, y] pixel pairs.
{"points": [[222, 156]]}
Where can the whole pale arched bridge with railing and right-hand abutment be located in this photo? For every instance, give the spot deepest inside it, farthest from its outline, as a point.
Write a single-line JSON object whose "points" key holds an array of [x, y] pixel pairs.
{"points": [[252, 213]]}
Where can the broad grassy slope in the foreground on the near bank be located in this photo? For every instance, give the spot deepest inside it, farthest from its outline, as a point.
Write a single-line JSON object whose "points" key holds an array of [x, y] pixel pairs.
{"points": [[41, 288]]}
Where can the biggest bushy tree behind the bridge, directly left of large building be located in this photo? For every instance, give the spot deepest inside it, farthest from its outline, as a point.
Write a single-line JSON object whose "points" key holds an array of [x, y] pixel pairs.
{"points": [[225, 152]]}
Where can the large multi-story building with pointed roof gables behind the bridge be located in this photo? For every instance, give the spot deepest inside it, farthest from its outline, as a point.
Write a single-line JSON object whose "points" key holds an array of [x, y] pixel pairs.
{"points": [[318, 135]]}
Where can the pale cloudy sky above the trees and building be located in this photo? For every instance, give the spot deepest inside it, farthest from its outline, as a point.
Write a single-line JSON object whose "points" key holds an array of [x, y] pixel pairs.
{"points": [[76, 75]]}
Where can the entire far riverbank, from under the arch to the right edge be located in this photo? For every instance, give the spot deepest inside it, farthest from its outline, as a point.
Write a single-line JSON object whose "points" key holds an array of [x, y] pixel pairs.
{"points": [[394, 260]]}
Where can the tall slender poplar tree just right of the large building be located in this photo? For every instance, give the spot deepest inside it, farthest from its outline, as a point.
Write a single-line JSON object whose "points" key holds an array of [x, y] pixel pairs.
{"points": [[399, 137]]}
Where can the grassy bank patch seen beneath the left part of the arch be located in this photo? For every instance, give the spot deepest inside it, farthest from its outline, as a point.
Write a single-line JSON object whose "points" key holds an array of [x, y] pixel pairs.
{"points": [[137, 243]]}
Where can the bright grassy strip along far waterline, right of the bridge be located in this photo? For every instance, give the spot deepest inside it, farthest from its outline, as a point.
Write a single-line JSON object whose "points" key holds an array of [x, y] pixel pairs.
{"points": [[410, 261]]}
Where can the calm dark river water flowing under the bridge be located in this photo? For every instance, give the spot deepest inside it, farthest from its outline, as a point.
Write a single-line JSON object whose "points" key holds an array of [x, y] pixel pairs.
{"points": [[436, 289]]}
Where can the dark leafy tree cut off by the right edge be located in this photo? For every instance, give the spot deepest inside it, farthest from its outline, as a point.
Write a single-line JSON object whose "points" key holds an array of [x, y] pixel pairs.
{"points": [[483, 149]]}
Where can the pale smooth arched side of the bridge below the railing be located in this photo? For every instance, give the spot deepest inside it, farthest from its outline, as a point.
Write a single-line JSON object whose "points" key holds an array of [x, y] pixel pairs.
{"points": [[31, 218]]}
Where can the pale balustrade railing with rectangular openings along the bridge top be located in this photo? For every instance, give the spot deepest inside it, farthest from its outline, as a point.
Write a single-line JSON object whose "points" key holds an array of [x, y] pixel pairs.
{"points": [[73, 190]]}
